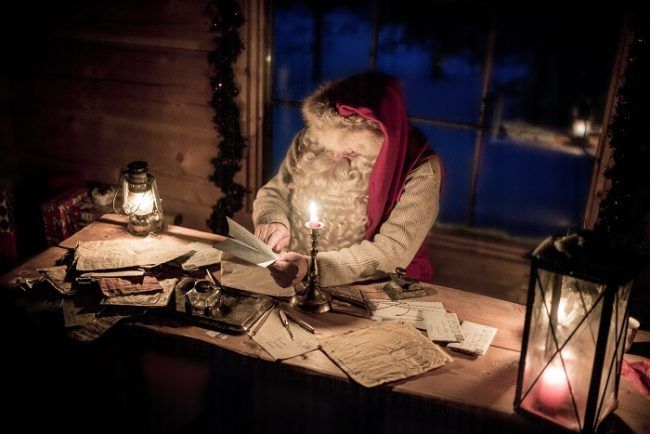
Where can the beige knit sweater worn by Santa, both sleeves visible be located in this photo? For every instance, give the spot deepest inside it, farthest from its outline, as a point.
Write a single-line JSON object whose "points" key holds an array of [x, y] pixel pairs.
{"points": [[399, 237]]}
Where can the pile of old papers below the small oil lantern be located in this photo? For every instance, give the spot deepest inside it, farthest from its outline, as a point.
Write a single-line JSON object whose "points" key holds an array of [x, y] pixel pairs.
{"points": [[106, 281]]}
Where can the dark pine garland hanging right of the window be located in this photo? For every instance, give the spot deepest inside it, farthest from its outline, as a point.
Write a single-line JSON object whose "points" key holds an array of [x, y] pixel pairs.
{"points": [[624, 214]]}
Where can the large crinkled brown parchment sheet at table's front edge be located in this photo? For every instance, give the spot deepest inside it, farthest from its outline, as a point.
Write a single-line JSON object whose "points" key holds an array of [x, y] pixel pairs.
{"points": [[388, 351]]}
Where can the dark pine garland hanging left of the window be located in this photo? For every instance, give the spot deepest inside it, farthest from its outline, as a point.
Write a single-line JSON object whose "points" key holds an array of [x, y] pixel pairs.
{"points": [[225, 20]]}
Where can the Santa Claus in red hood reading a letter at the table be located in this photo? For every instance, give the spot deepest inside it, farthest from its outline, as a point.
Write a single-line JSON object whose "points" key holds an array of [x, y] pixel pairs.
{"points": [[374, 178]]}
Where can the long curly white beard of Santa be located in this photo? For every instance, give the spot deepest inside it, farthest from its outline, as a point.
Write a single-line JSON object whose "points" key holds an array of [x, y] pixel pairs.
{"points": [[340, 190]]}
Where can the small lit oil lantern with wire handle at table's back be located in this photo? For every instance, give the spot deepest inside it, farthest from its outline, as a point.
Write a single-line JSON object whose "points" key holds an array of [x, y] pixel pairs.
{"points": [[139, 199]]}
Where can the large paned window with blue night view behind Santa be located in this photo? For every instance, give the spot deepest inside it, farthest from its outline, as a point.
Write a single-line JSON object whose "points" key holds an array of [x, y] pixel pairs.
{"points": [[510, 97]]}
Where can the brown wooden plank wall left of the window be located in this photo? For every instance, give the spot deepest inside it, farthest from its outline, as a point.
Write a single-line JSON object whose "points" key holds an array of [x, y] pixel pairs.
{"points": [[94, 85]]}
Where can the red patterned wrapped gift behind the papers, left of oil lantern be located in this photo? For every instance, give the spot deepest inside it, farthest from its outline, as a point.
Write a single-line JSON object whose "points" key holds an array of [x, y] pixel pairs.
{"points": [[61, 215]]}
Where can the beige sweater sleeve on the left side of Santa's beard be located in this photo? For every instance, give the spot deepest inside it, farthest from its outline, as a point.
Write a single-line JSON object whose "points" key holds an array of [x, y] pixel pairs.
{"points": [[271, 204]]}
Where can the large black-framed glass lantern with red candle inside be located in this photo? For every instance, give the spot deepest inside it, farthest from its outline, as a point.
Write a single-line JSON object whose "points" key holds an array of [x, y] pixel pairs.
{"points": [[574, 335]]}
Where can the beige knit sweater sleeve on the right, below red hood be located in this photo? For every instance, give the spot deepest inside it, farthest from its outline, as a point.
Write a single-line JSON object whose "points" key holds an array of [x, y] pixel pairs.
{"points": [[399, 237]]}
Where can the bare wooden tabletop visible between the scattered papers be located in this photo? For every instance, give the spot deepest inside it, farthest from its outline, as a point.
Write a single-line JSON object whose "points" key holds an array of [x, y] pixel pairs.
{"points": [[483, 385]]}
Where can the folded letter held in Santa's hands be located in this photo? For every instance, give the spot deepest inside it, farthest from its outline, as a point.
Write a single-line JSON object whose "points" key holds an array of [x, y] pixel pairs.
{"points": [[244, 245]]}
